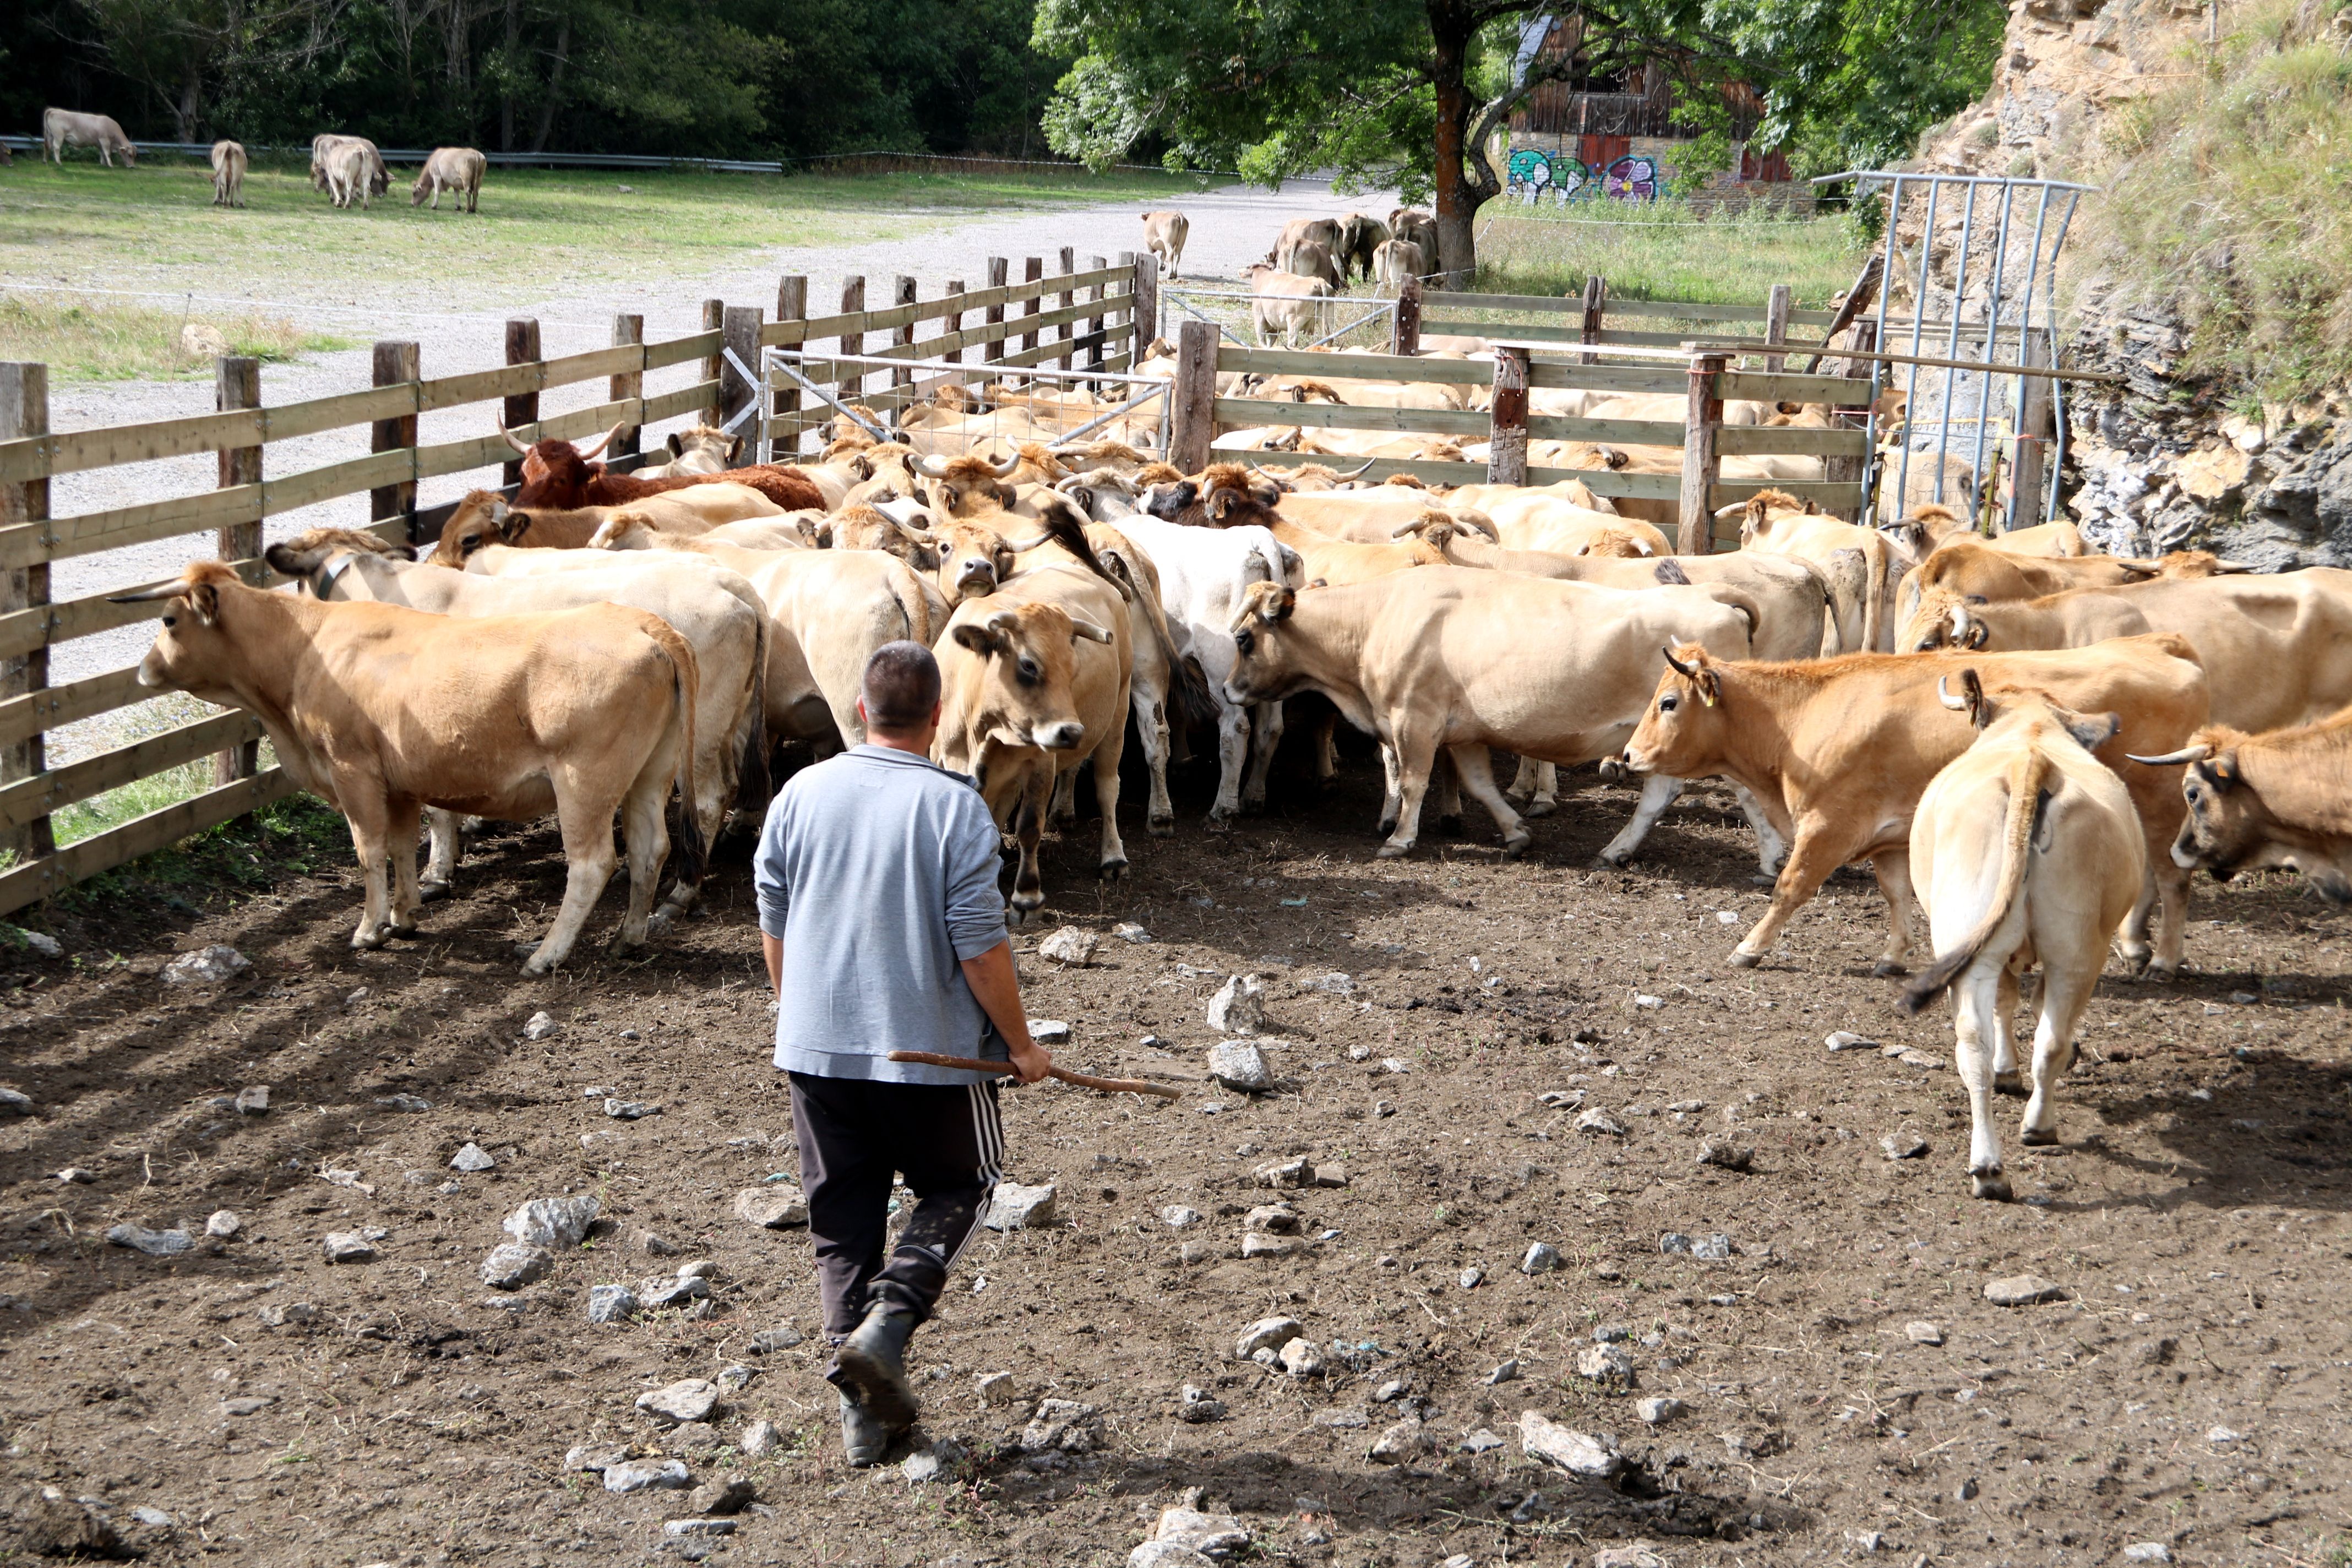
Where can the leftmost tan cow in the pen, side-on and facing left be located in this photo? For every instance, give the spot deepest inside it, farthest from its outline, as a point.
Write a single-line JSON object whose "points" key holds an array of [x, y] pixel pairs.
{"points": [[387, 711]]}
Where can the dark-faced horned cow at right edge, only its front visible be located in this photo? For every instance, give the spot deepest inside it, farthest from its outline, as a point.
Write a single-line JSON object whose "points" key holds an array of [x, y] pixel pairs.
{"points": [[2271, 800]]}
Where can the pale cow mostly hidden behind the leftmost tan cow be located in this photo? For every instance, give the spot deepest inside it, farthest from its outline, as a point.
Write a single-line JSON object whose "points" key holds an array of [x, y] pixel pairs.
{"points": [[711, 608]]}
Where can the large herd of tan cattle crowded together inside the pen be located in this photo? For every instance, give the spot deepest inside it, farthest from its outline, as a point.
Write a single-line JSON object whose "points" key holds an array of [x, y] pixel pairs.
{"points": [[2036, 742]]}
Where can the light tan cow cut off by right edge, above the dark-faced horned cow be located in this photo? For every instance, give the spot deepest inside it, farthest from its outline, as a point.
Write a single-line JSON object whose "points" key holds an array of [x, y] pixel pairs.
{"points": [[2276, 648]]}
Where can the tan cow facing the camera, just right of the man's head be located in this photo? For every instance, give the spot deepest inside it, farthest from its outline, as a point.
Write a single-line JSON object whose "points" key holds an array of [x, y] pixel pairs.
{"points": [[1034, 685]]}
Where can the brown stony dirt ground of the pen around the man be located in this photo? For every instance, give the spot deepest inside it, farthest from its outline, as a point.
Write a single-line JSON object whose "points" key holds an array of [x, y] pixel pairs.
{"points": [[2186, 1391]]}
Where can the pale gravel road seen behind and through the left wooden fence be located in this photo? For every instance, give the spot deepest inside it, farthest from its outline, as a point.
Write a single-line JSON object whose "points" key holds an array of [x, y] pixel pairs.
{"points": [[1231, 229]]}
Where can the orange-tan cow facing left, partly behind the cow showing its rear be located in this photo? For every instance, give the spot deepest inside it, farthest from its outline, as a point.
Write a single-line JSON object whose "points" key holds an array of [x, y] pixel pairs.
{"points": [[1840, 751]]}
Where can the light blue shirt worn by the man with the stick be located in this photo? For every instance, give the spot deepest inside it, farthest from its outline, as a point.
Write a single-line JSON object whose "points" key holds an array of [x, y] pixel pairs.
{"points": [[878, 871]]}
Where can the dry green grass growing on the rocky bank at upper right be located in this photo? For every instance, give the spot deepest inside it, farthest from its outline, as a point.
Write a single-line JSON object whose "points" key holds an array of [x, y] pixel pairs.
{"points": [[2229, 201]]}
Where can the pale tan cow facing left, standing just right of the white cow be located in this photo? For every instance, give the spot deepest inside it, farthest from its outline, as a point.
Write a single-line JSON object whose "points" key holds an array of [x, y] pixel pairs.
{"points": [[1464, 662]]}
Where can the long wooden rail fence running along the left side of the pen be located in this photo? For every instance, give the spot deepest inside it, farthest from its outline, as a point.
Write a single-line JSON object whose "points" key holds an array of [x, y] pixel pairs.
{"points": [[229, 516]]}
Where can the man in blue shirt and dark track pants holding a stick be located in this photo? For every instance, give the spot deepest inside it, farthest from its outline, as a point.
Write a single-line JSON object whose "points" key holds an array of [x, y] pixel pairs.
{"points": [[886, 932]]}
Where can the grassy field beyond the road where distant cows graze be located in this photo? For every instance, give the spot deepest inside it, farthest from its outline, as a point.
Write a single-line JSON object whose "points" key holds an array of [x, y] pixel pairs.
{"points": [[540, 232]]}
